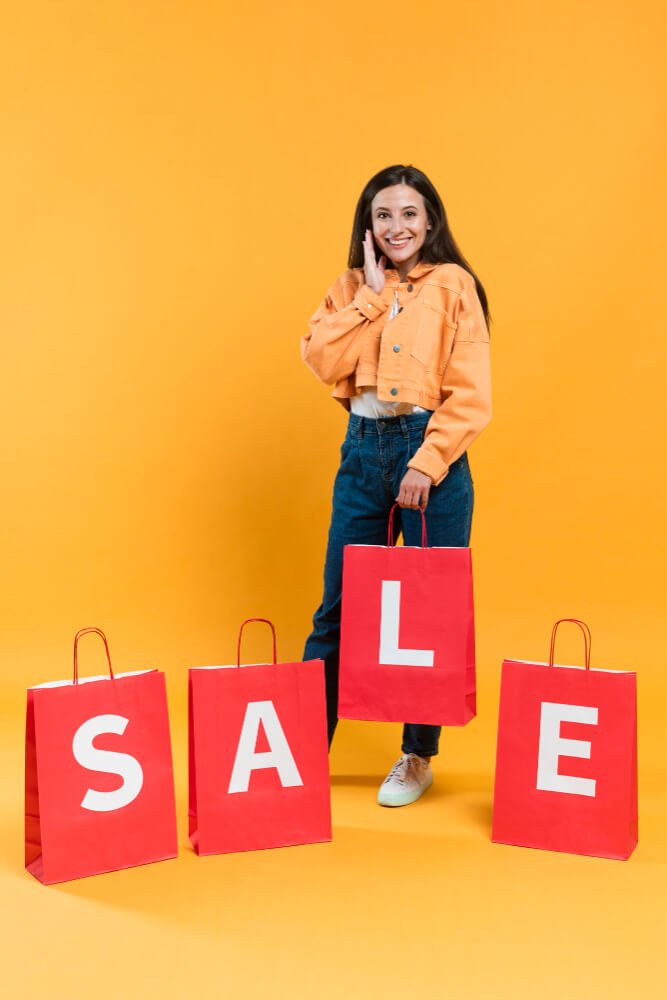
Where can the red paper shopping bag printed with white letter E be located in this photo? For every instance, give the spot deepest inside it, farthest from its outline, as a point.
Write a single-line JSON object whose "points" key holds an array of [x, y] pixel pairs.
{"points": [[566, 765]]}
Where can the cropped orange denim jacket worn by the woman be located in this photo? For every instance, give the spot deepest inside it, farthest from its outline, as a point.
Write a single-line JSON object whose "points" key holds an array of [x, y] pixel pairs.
{"points": [[433, 353]]}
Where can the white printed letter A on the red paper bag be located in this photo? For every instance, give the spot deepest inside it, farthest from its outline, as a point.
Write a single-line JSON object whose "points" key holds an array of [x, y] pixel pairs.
{"points": [[279, 756]]}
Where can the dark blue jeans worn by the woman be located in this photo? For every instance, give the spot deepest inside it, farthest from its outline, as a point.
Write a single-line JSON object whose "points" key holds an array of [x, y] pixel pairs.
{"points": [[374, 457]]}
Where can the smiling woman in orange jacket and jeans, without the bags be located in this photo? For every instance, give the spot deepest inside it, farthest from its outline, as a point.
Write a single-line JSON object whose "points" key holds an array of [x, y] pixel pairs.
{"points": [[407, 349]]}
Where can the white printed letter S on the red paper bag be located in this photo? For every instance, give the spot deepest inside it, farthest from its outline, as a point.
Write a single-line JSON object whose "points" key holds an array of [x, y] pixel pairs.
{"points": [[108, 761]]}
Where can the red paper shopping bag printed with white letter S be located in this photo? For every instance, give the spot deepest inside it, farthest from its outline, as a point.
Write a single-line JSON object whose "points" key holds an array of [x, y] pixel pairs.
{"points": [[99, 789]]}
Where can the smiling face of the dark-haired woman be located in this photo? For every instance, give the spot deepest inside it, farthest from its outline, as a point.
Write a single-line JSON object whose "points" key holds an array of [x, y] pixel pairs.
{"points": [[400, 225]]}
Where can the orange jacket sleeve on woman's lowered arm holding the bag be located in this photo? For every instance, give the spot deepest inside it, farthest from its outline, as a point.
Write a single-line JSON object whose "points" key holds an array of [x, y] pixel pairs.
{"points": [[466, 392]]}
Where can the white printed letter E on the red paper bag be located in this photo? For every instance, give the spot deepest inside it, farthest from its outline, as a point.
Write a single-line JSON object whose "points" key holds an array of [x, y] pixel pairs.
{"points": [[553, 746]]}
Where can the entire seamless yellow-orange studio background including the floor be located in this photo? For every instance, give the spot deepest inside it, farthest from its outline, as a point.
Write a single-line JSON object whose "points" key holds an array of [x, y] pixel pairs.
{"points": [[177, 184]]}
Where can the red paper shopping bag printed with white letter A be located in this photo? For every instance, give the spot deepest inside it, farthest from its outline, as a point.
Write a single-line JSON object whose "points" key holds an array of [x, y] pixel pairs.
{"points": [[258, 761]]}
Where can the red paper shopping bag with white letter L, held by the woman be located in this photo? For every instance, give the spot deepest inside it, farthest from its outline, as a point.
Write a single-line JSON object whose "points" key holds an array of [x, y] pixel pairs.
{"points": [[407, 651]]}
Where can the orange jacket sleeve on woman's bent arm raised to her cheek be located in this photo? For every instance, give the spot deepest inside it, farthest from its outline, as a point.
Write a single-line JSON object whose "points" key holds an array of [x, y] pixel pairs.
{"points": [[338, 328]]}
